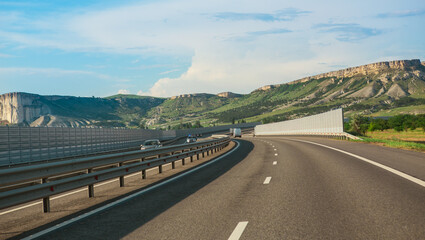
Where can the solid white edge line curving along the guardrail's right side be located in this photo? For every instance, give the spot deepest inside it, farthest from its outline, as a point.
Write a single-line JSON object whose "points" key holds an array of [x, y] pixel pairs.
{"points": [[36, 235]]}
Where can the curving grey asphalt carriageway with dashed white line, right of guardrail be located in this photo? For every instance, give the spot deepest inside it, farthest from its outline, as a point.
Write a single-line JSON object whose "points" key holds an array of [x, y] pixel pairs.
{"points": [[274, 188]]}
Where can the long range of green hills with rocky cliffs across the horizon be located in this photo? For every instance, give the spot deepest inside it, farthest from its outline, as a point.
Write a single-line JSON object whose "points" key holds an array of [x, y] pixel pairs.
{"points": [[378, 89]]}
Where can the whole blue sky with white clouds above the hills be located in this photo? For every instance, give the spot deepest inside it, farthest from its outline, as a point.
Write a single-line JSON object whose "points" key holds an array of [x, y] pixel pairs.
{"points": [[166, 48]]}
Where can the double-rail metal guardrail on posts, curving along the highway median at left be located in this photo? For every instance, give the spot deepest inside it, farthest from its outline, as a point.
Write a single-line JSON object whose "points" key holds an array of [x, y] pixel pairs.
{"points": [[94, 171]]}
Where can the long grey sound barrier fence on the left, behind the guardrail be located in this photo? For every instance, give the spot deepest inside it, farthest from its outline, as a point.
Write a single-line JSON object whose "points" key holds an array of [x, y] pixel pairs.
{"points": [[20, 145]]}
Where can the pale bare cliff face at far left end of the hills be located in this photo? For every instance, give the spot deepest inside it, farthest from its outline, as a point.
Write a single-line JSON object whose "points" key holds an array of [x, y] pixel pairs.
{"points": [[19, 108]]}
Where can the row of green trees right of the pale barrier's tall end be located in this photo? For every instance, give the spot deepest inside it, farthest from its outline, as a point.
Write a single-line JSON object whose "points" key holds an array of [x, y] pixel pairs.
{"points": [[359, 125]]}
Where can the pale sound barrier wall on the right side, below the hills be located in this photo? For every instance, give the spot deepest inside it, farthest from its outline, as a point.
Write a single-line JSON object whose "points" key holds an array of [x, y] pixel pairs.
{"points": [[328, 123]]}
